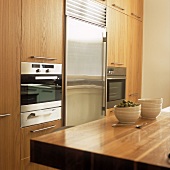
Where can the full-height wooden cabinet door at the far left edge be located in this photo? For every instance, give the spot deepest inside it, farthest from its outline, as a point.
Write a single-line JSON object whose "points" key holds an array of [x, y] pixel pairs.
{"points": [[10, 29]]}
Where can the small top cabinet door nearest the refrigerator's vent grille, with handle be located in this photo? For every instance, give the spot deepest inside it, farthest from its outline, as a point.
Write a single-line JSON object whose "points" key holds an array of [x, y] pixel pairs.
{"points": [[120, 5]]}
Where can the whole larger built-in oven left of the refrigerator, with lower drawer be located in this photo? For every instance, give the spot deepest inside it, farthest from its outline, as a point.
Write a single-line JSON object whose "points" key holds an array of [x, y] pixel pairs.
{"points": [[41, 92]]}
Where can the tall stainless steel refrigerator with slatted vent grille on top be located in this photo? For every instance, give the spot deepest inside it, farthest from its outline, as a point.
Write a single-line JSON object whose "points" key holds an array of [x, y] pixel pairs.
{"points": [[85, 61]]}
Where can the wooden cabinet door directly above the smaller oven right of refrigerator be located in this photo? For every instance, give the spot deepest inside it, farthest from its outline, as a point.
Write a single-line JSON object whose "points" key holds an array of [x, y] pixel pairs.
{"points": [[116, 38]]}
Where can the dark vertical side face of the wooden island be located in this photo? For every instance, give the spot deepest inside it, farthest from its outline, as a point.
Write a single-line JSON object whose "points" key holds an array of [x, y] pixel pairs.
{"points": [[71, 159]]}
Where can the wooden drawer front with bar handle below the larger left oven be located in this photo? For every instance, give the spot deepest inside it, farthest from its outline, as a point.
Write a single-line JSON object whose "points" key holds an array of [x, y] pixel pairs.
{"points": [[34, 131]]}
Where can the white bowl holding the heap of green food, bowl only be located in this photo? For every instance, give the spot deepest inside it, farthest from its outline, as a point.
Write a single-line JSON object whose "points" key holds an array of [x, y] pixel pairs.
{"points": [[127, 114]]}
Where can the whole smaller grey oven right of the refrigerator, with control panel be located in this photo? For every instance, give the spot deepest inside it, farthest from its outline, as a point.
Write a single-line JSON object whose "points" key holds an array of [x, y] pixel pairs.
{"points": [[116, 85]]}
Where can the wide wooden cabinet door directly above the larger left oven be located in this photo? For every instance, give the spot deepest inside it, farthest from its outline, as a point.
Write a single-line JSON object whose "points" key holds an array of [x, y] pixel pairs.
{"points": [[42, 31]]}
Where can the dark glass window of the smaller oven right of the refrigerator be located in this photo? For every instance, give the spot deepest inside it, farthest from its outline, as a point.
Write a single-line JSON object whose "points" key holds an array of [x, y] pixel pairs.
{"points": [[115, 89]]}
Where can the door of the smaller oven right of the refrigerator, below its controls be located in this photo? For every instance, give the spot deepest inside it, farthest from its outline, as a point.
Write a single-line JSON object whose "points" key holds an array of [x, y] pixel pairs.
{"points": [[115, 90]]}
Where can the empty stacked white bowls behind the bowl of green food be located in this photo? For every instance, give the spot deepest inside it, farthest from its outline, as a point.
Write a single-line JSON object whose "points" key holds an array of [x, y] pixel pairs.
{"points": [[150, 108]]}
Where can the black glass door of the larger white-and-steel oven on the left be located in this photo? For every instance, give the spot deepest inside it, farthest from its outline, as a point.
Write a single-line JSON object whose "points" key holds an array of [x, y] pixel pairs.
{"points": [[39, 89]]}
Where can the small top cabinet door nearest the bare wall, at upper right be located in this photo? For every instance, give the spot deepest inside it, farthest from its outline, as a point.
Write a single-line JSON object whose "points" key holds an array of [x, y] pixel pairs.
{"points": [[136, 9]]}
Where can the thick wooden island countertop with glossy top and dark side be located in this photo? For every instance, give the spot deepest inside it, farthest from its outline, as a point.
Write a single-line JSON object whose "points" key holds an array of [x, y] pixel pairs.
{"points": [[99, 146]]}
